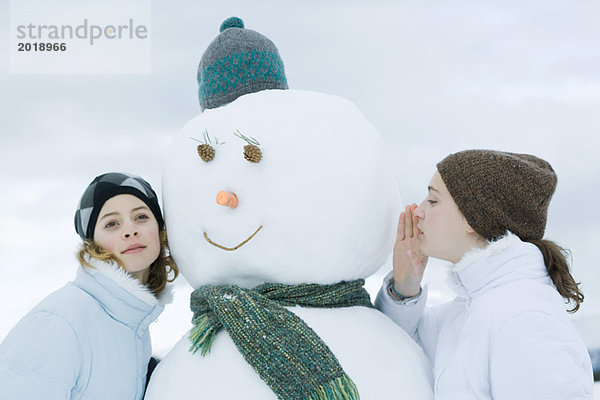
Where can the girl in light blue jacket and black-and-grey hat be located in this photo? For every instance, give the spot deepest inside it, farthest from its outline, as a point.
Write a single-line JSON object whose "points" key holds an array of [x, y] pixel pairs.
{"points": [[90, 339]]}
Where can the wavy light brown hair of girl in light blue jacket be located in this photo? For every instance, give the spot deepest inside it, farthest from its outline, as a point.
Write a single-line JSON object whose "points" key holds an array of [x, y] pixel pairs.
{"points": [[160, 269]]}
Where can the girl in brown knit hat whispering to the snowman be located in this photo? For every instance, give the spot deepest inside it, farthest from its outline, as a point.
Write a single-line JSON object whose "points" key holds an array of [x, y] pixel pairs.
{"points": [[507, 335]]}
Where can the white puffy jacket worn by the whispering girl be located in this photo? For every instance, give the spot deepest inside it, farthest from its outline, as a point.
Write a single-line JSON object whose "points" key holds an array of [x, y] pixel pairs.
{"points": [[506, 336]]}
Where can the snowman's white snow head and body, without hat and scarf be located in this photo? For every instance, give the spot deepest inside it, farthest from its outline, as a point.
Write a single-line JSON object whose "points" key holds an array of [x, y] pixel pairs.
{"points": [[319, 207]]}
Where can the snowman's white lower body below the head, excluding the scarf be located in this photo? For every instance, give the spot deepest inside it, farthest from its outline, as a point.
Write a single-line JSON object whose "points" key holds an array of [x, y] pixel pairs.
{"points": [[381, 359]]}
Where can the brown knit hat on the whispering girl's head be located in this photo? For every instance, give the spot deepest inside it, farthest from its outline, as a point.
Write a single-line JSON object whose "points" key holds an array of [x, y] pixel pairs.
{"points": [[498, 191]]}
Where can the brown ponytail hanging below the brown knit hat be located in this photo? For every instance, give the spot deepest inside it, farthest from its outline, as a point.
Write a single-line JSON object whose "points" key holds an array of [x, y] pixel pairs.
{"points": [[555, 258]]}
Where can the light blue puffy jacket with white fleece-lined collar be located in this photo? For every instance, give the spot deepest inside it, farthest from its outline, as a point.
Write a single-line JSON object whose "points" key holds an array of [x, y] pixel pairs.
{"points": [[87, 340]]}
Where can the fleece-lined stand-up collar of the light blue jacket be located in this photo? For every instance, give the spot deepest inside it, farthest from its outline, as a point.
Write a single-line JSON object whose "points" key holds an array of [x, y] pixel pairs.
{"points": [[123, 297]]}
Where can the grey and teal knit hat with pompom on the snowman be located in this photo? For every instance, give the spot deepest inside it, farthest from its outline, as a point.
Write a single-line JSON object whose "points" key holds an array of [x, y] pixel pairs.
{"points": [[237, 62]]}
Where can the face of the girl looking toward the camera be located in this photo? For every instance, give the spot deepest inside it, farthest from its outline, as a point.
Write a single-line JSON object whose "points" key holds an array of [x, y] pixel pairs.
{"points": [[127, 228]]}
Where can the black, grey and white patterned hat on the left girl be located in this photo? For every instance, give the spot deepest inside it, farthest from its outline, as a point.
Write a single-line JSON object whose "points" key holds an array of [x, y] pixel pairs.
{"points": [[103, 188]]}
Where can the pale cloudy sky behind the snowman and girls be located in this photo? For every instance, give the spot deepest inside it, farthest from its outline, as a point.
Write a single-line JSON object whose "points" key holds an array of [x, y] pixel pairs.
{"points": [[434, 77]]}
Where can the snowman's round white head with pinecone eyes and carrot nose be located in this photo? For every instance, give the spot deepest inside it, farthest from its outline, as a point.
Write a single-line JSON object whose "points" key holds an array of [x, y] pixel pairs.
{"points": [[299, 190]]}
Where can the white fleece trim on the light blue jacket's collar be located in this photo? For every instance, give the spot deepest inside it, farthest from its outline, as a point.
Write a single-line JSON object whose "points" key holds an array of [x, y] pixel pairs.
{"points": [[123, 279]]}
